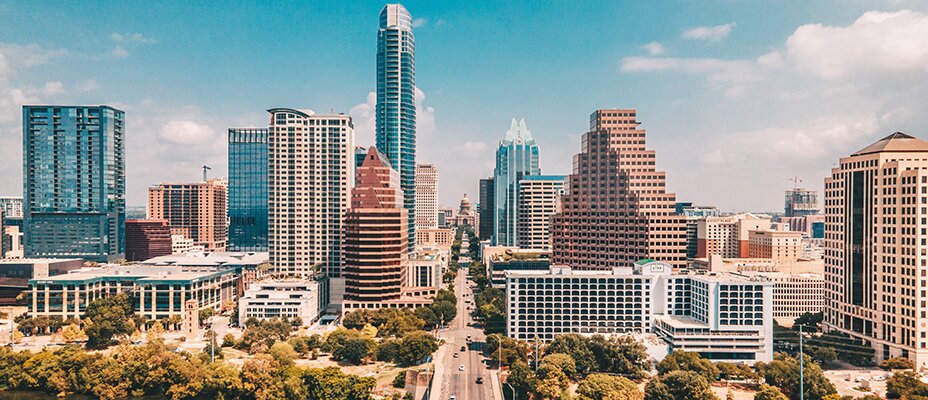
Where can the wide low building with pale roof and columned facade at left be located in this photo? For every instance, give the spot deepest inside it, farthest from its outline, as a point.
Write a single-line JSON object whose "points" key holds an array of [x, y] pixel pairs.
{"points": [[157, 291]]}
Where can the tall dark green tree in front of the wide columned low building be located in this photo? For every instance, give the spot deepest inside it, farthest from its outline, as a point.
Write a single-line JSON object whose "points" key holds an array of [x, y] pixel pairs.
{"points": [[109, 318]]}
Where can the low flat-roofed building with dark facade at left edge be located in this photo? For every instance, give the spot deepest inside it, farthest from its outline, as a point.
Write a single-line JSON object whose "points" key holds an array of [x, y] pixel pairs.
{"points": [[15, 274]]}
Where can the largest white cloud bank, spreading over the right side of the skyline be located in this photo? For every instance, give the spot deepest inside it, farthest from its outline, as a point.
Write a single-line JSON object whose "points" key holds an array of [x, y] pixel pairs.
{"points": [[825, 92]]}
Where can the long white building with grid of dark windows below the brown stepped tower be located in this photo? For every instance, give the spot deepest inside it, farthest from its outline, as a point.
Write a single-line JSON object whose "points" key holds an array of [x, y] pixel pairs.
{"points": [[690, 312]]}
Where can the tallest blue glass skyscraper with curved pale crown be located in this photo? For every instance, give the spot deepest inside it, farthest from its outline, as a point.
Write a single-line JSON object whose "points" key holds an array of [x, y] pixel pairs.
{"points": [[396, 101]]}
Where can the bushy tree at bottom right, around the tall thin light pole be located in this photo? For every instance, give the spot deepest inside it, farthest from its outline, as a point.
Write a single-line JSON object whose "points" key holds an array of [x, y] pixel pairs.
{"points": [[784, 374]]}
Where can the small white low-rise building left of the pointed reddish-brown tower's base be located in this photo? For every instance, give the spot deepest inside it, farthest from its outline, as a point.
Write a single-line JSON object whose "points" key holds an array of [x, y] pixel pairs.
{"points": [[283, 299]]}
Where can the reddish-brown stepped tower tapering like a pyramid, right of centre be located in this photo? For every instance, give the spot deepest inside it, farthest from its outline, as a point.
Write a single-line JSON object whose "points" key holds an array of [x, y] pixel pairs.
{"points": [[616, 209]]}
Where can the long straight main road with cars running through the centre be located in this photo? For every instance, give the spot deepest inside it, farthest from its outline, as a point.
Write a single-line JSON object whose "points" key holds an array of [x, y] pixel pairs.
{"points": [[450, 379]]}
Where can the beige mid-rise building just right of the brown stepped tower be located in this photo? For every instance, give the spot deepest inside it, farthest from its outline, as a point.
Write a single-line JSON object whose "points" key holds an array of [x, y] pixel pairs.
{"points": [[727, 236]]}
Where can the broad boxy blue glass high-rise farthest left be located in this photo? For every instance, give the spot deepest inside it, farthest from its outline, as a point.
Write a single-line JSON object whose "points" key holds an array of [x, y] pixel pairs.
{"points": [[74, 182]]}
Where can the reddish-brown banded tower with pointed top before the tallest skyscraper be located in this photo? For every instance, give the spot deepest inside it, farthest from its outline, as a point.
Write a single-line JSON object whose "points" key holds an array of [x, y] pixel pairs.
{"points": [[376, 249]]}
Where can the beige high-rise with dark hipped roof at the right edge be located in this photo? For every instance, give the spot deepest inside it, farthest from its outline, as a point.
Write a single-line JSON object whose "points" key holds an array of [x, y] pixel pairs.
{"points": [[875, 265]]}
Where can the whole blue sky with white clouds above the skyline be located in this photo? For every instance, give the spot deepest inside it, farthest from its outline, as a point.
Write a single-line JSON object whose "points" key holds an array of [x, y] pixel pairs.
{"points": [[737, 97]]}
